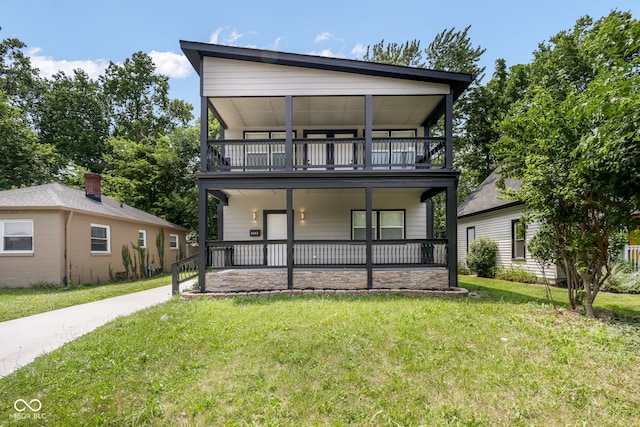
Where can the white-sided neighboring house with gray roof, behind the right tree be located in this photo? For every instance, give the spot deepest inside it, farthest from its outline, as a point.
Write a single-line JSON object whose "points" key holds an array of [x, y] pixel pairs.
{"points": [[486, 212]]}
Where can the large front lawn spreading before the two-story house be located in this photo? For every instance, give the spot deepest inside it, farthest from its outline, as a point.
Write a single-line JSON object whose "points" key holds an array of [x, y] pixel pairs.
{"points": [[503, 358]]}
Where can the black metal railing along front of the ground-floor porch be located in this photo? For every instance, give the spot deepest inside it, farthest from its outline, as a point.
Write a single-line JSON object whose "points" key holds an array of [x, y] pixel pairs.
{"points": [[336, 253]]}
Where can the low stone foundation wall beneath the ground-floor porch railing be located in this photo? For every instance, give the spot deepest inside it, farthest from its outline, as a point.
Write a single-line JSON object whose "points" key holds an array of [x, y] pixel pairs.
{"points": [[268, 280]]}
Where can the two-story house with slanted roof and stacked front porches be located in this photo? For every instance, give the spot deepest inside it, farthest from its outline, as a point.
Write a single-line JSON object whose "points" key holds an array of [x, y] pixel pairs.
{"points": [[325, 170]]}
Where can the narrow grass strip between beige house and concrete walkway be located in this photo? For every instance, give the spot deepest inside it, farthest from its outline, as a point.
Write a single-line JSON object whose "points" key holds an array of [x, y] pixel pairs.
{"points": [[15, 303]]}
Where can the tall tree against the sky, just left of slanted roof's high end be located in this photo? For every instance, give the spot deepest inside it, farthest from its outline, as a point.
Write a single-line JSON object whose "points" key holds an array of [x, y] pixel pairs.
{"points": [[139, 100]]}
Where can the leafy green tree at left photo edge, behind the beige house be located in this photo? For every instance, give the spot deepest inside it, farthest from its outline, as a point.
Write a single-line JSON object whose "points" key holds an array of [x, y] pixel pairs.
{"points": [[24, 161]]}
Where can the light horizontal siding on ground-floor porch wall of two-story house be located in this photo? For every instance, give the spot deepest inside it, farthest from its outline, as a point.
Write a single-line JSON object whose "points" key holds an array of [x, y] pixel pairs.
{"points": [[327, 214]]}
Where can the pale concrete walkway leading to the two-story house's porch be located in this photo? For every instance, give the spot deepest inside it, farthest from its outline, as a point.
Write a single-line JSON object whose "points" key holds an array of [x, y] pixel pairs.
{"points": [[24, 339]]}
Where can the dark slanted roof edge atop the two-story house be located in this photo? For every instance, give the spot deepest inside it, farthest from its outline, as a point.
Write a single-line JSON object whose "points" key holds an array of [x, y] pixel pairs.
{"points": [[194, 51]]}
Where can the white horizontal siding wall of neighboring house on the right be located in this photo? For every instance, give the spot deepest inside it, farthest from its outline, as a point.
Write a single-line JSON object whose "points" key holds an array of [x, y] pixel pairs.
{"points": [[497, 225]]}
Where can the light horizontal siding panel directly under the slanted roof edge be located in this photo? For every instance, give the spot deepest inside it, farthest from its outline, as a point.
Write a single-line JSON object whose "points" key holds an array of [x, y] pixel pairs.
{"points": [[224, 77]]}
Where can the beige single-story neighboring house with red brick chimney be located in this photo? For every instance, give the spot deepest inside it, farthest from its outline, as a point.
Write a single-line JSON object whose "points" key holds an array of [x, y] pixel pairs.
{"points": [[54, 234]]}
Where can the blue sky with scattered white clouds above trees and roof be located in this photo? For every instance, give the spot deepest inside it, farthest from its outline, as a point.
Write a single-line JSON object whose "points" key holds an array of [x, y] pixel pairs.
{"points": [[68, 34]]}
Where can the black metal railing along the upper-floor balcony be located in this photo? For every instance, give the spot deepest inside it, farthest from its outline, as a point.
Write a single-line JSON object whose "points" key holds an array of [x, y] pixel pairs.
{"points": [[326, 154]]}
